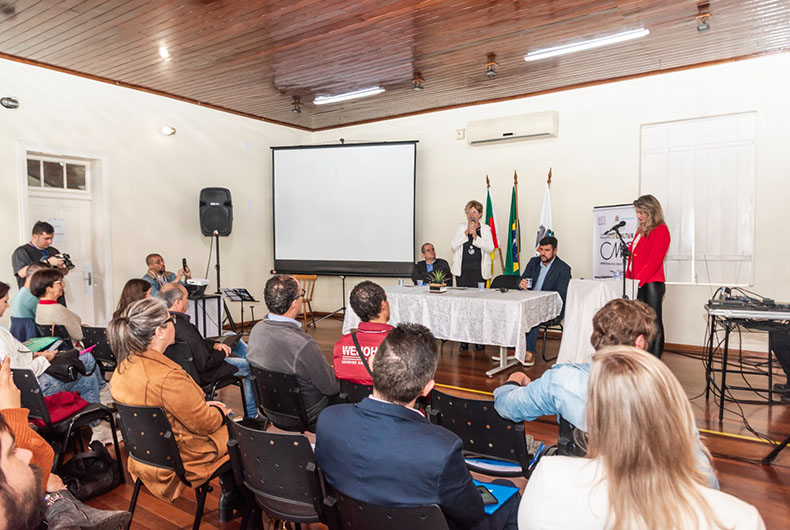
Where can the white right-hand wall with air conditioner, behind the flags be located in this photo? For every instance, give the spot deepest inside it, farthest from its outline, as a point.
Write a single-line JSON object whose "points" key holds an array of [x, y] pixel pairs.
{"points": [[595, 161]]}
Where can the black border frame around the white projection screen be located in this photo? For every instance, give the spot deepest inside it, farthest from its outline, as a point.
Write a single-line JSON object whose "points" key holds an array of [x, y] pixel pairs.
{"points": [[337, 267]]}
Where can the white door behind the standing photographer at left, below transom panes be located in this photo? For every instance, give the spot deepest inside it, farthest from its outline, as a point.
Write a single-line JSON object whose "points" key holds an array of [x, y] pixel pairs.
{"points": [[73, 236]]}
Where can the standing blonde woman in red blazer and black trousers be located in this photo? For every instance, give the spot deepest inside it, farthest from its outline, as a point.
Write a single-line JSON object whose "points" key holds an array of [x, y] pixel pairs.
{"points": [[646, 264]]}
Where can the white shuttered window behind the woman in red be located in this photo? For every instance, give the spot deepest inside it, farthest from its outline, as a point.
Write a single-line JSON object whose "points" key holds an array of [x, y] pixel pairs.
{"points": [[702, 171]]}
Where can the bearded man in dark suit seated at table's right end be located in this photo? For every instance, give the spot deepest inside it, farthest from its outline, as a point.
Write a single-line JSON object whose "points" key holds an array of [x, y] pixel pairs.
{"points": [[544, 272]]}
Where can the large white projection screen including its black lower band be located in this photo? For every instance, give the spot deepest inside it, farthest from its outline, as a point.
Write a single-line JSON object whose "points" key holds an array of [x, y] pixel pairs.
{"points": [[344, 209]]}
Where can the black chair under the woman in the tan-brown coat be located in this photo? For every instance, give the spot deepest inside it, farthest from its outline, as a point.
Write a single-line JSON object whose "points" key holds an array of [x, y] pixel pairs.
{"points": [[149, 439]]}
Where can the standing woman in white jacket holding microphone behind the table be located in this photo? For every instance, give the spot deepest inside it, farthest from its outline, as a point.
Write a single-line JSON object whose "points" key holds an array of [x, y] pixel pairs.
{"points": [[472, 248]]}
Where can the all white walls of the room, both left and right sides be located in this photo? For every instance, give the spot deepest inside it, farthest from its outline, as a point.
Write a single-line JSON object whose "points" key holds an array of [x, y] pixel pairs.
{"points": [[154, 180]]}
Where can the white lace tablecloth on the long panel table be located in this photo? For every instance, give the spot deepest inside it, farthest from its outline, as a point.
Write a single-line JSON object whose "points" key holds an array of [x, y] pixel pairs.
{"points": [[479, 316]]}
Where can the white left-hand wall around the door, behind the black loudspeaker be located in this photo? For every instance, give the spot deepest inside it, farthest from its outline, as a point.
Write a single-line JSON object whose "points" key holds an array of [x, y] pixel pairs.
{"points": [[154, 181]]}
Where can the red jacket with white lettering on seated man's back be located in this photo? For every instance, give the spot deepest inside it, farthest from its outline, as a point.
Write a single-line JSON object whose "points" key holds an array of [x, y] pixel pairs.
{"points": [[347, 363]]}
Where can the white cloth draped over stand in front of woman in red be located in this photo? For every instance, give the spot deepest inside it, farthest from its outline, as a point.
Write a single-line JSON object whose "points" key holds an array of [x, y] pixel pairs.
{"points": [[585, 297]]}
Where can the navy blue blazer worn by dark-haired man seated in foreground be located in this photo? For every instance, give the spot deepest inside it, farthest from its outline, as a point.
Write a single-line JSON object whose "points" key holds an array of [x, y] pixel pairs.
{"points": [[386, 454]]}
